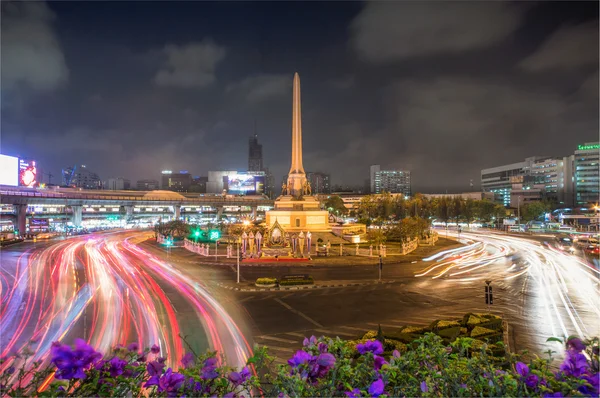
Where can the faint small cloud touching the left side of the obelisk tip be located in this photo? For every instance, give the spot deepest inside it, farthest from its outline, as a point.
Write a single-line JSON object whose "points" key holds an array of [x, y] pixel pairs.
{"points": [[262, 87]]}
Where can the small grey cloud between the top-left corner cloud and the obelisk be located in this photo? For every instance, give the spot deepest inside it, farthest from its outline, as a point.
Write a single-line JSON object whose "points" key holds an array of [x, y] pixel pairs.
{"points": [[190, 66]]}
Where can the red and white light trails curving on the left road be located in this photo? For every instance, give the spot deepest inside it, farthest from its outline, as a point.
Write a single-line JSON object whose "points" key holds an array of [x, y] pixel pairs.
{"points": [[109, 291]]}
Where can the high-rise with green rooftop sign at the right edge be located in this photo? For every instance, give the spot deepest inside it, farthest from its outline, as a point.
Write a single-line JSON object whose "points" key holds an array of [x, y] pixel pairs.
{"points": [[586, 164]]}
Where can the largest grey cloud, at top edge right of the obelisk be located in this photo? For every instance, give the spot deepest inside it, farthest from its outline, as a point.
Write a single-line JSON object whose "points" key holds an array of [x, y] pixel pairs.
{"points": [[391, 31]]}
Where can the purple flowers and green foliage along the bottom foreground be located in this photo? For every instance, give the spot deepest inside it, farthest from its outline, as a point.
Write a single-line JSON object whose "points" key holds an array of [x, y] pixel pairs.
{"points": [[322, 368]]}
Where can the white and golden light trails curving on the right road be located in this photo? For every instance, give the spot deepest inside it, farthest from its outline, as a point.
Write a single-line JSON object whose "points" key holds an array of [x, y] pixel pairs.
{"points": [[567, 287]]}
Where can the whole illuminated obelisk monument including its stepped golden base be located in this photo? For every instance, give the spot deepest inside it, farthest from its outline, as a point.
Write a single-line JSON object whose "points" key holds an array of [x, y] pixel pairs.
{"points": [[296, 209]]}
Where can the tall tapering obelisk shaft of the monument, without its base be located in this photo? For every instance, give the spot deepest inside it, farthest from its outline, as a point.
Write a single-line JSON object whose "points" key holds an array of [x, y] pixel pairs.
{"points": [[296, 177]]}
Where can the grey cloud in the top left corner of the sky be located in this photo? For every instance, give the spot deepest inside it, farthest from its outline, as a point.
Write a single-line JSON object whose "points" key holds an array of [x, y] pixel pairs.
{"points": [[31, 54]]}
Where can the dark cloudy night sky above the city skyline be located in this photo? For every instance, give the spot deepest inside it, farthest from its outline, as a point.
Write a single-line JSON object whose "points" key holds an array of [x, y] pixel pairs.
{"points": [[442, 89]]}
